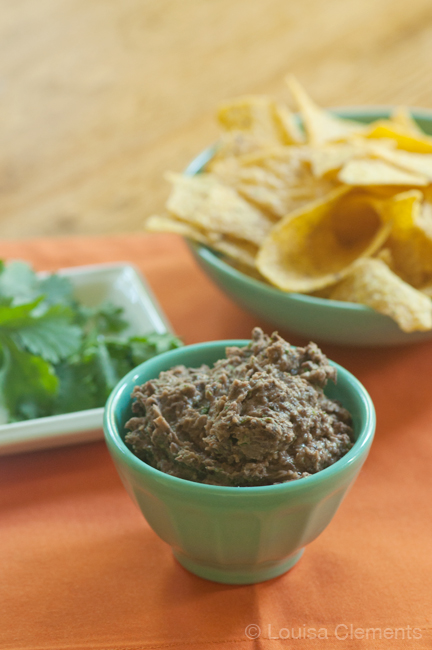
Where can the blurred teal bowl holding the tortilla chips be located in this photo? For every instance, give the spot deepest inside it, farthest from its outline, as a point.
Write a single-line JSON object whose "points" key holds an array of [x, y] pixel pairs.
{"points": [[316, 319]]}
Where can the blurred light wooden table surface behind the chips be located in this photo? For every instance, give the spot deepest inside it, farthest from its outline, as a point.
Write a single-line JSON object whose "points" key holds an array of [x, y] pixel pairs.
{"points": [[99, 97]]}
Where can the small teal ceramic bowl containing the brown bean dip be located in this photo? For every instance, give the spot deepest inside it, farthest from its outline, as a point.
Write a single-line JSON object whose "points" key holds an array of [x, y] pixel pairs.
{"points": [[227, 534]]}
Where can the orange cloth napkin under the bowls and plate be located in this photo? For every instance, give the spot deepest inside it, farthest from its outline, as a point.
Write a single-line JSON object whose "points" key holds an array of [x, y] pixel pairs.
{"points": [[80, 568]]}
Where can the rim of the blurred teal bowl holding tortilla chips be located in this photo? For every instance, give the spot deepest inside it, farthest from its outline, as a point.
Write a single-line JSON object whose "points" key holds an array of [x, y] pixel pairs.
{"points": [[215, 259]]}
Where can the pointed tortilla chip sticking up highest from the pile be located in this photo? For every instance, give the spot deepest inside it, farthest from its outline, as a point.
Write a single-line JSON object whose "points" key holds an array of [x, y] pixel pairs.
{"points": [[320, 125]]}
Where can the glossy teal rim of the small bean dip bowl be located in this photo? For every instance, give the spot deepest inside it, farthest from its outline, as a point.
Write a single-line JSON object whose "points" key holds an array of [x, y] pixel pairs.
{"points": [[113, 437]]}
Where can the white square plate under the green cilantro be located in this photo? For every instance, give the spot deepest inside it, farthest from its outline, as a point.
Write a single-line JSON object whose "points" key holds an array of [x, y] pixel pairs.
{"points": [[124, 286]]}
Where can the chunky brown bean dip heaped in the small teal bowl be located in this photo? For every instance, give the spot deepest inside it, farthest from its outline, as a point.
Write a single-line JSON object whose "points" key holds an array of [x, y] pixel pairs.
{"points": [[258, 417]]}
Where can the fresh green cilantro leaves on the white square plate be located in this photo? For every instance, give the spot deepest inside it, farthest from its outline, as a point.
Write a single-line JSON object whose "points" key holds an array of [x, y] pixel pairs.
{"points": [[57, 355]]}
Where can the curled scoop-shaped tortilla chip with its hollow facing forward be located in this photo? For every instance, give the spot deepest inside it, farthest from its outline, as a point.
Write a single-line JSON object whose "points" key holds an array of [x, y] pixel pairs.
{"points": [[314, 247]]}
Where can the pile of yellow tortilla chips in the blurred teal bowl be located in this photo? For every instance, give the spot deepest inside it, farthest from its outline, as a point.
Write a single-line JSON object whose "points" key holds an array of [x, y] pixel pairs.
{"points": [[336, 209]]}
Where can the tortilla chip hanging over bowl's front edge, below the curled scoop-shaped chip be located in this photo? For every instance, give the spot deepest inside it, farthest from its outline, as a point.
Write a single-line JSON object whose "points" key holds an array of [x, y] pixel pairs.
{"points": [[370, 282]]}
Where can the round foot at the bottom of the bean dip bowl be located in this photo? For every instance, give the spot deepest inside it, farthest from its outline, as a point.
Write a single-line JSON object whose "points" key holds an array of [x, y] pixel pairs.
{"points": [[238, 574]]}
